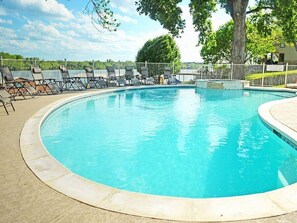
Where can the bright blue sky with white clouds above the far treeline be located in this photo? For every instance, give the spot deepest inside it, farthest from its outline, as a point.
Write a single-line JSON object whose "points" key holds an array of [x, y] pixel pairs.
{"points": [[59, 29]]}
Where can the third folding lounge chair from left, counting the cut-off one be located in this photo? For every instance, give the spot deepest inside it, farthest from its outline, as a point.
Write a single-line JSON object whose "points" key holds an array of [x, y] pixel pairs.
{"points": [[49, 85]]}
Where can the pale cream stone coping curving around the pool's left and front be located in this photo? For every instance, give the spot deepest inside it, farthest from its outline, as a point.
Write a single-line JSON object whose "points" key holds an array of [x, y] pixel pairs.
{"points": [[55, 175]]}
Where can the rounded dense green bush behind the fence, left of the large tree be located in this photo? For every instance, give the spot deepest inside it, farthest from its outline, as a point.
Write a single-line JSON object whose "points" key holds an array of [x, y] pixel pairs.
{"points": [[162, 49]]}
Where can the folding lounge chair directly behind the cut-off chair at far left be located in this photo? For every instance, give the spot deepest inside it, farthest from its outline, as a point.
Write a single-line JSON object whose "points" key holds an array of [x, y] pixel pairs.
{"points": [[16, 87]]}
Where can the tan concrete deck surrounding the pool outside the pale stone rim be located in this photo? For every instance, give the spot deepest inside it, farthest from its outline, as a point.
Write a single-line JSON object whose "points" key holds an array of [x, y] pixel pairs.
{"points": [[24, 198]]}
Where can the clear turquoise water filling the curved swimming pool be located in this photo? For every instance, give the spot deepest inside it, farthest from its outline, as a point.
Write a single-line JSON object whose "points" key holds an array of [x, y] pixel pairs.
{"points": [[180, 142]]}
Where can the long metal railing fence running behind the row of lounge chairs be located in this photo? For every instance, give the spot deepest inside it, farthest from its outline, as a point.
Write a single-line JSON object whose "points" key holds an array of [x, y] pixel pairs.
{"points": [[258, 74]]}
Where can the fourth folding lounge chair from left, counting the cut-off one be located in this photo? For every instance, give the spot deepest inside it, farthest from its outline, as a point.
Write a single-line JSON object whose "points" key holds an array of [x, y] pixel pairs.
{"points": [[70, 83]]}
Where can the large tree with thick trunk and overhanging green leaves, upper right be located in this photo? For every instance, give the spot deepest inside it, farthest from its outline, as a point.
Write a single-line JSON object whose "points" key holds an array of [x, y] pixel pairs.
{"points": [[280, 12]]}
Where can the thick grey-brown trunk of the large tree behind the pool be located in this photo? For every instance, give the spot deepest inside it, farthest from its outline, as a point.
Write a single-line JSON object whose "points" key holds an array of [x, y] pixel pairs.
{"points": [[238, 13]]}
